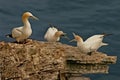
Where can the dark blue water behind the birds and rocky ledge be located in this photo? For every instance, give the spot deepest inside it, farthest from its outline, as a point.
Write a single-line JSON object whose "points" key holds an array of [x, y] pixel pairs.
{"points": [[84, 17]]}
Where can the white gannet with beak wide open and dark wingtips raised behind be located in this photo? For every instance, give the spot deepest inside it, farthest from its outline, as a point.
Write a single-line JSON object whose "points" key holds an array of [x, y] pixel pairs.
{"points": [[92, 44]]}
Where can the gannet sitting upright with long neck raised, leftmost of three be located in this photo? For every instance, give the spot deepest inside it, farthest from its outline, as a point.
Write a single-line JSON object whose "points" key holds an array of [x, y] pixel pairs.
{"points": [[23, 32]]}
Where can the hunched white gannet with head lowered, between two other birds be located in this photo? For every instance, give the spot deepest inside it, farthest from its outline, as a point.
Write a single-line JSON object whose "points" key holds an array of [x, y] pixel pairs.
{"points": [[53, 35]]}
